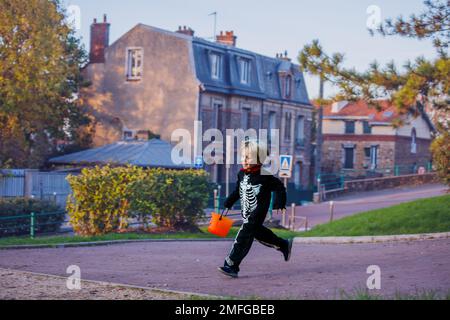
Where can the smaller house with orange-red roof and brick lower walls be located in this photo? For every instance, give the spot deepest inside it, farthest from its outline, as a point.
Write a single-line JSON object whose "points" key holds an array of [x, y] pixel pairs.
{"points": [[359, 139]]}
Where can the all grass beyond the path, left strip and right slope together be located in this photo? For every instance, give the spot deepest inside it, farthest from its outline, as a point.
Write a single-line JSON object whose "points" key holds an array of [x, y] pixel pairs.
{"points": [[421, 216]]}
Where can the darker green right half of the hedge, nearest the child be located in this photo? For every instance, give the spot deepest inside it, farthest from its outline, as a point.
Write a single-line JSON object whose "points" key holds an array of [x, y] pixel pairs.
{"points": [[170, 198]]}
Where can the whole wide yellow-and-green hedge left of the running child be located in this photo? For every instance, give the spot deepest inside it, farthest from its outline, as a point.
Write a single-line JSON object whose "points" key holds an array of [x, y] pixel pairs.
{"points": [[103, 199]]}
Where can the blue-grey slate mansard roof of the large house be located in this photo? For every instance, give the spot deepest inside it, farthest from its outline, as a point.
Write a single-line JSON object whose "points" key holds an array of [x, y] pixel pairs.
{"points": [[265, 81]]}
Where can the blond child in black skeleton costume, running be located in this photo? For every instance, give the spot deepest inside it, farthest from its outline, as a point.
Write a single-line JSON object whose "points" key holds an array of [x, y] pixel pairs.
{"points": [[254, 188]]}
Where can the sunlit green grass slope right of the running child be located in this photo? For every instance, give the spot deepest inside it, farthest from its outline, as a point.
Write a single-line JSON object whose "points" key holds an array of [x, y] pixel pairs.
{"points": [[420, 216]]}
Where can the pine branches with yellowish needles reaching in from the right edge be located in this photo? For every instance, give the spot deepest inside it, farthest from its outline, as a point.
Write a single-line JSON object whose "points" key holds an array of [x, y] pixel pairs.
{"points": [[420, 82]]}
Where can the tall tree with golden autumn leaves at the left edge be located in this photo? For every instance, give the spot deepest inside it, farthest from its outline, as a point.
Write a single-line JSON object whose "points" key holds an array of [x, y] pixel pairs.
{"points": [[40, 60]]}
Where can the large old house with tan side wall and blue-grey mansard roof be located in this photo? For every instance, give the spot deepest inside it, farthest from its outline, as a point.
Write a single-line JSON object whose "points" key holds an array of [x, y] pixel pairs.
{"points": [[158, 80]]}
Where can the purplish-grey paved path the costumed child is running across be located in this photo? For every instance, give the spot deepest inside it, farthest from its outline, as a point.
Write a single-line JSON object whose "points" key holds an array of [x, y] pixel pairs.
{"points": [[314, 271]]}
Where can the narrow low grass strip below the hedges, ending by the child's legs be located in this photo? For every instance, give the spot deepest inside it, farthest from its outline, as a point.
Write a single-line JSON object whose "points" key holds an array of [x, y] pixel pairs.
{"points": [[53, 240]]}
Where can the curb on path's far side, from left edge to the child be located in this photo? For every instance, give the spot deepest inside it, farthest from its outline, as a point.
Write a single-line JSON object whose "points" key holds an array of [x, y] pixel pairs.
{"points": [[104, 243]]}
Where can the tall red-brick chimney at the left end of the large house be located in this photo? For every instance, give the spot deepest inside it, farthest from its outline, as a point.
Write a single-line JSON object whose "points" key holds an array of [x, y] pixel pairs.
{"points": [[99, 40]]}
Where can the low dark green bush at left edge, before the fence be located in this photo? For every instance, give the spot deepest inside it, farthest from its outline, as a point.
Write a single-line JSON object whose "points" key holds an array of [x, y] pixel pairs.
{"points": [[45, 222]]}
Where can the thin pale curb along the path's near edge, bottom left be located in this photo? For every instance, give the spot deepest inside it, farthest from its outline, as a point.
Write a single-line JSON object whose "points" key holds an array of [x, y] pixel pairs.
{"points": [[175, 292]]}
